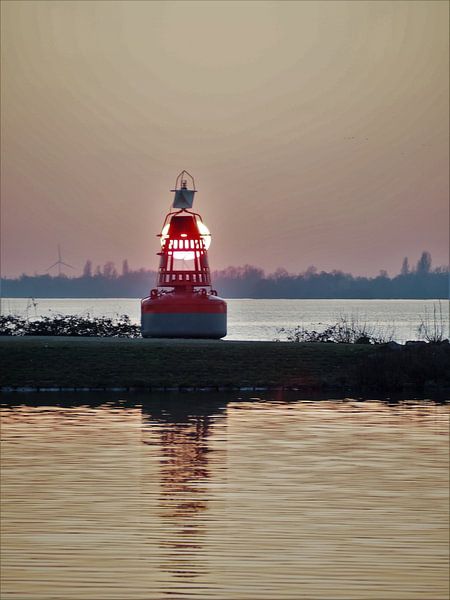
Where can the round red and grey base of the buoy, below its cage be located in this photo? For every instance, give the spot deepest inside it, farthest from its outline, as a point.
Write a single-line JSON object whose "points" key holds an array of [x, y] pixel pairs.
{"points": [[184, 315]]}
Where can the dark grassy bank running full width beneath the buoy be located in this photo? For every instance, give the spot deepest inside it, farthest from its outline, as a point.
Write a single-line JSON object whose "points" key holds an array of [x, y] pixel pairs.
{"points": [[143, 363]]}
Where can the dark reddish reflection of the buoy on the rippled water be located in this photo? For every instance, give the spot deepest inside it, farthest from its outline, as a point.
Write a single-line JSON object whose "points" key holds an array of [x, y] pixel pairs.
{"points": [[181, 431]]}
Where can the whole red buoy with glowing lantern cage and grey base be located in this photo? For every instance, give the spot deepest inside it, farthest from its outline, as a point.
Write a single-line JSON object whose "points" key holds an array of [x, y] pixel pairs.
{"points": [[184, 305]]}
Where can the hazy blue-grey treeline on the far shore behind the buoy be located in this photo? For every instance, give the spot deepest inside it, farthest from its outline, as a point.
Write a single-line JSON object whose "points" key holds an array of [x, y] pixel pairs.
{"points": [[420, 281]]}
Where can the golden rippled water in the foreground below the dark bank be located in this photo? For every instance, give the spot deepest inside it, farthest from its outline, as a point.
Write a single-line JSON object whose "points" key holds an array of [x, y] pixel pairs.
{"points": [[211, 497]]}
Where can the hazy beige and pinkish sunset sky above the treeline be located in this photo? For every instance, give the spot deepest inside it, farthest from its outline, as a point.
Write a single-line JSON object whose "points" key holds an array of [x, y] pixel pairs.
{"points": [[317, 131]]}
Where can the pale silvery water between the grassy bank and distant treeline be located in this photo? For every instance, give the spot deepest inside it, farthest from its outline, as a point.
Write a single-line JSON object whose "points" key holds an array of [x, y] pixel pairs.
{"points": [[257, 319]]}
